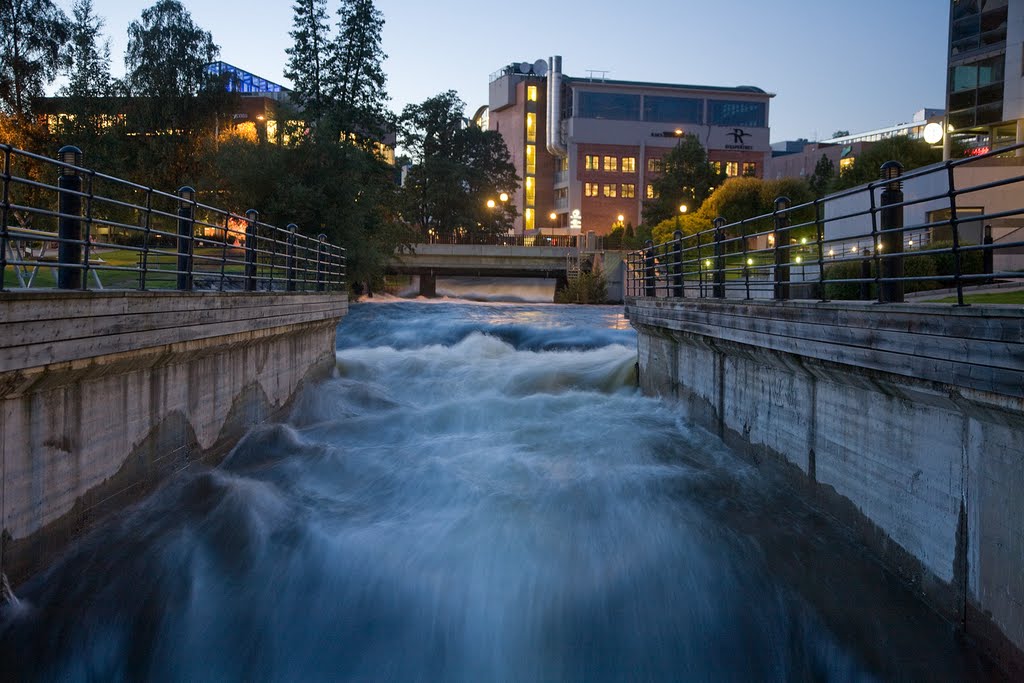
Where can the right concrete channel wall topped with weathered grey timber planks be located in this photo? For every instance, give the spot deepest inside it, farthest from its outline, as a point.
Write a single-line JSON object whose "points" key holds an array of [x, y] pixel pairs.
{"points": [[906, 421]]}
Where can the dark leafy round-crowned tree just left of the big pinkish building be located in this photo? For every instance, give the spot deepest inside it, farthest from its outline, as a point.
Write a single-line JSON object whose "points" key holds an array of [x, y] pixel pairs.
{"points": [[456, 169]]}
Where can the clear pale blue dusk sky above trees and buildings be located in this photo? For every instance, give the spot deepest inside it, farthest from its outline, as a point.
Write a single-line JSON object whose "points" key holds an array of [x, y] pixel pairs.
{"points": [[832, 65]]}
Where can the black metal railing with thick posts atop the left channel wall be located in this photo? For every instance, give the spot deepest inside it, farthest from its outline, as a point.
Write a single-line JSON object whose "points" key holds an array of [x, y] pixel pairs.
{"points": [[66, 227]]}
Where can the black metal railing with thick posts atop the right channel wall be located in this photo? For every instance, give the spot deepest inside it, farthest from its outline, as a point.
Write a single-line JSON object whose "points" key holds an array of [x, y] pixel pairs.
{"points": [[950, 226]]}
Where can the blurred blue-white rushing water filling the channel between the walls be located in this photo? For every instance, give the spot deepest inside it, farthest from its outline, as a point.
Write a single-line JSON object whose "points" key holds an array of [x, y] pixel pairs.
{"points": [[480, 495]]}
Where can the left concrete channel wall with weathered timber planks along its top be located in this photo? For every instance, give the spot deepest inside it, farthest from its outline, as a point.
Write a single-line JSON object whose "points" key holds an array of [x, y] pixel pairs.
{"points": [[103, 396]]}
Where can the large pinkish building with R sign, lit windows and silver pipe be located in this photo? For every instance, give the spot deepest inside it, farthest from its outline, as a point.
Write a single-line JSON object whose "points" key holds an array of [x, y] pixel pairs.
{"points": [[589, 149]]}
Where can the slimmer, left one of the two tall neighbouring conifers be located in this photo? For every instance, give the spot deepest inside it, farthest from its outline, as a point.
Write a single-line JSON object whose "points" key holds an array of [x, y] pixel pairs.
{"points": [[308, 58]]}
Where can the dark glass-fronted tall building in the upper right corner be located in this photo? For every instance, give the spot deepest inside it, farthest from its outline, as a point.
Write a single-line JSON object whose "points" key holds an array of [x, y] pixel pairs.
{"points": [[986, 83]]}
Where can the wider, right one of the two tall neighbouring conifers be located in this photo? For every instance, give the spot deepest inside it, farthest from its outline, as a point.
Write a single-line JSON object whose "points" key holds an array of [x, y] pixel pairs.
{"points": [[356, 80]]}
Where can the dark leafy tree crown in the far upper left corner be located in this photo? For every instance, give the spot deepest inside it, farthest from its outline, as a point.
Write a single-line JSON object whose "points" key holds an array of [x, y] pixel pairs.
{"points": [[32, 37]]}
